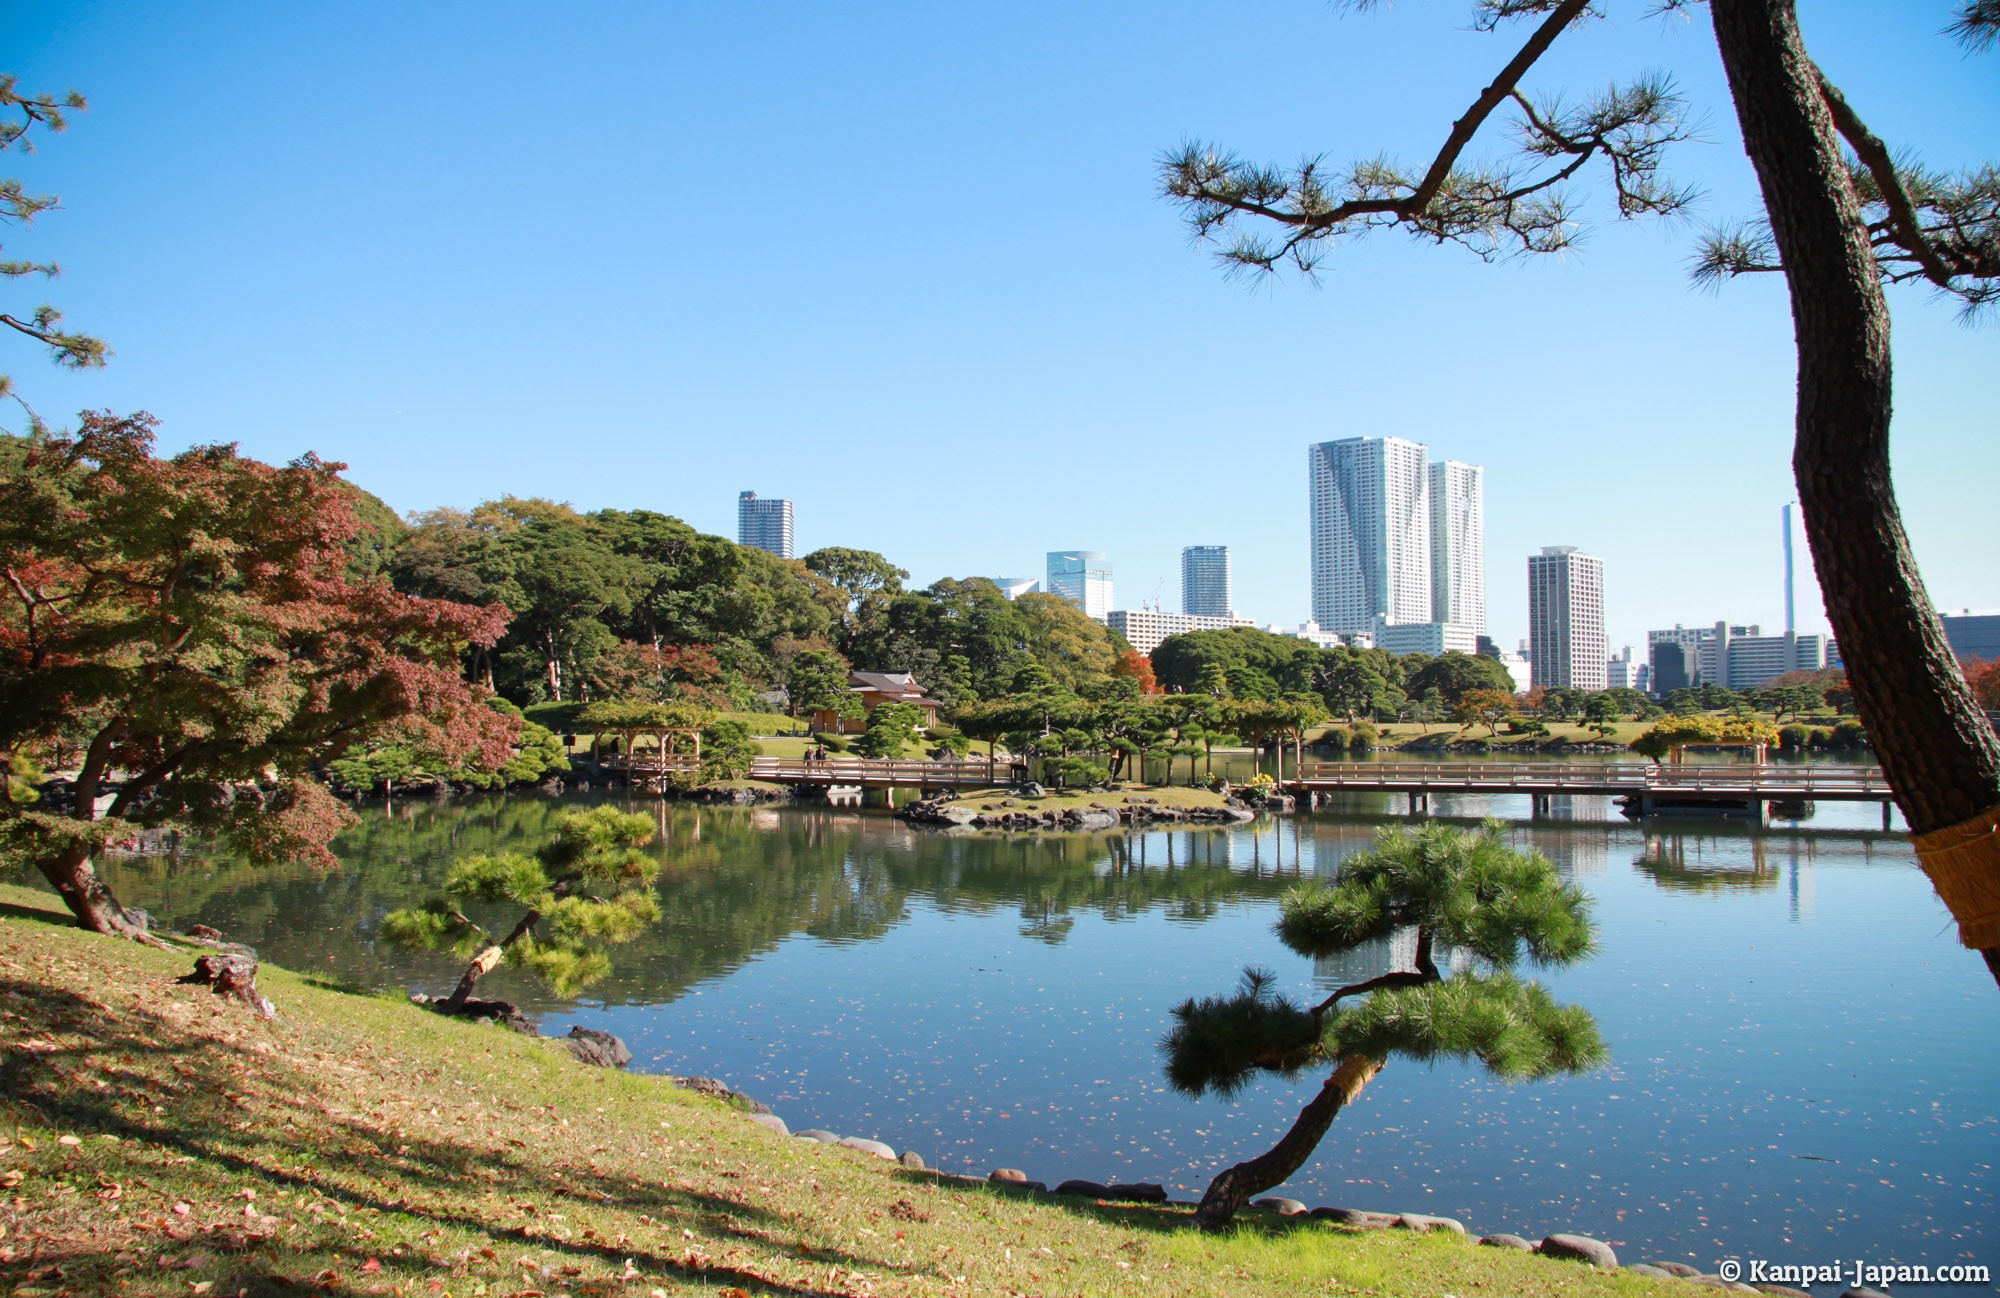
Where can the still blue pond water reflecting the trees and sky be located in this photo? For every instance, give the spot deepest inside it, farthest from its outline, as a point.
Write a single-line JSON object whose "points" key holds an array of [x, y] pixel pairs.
{"points": [[1805, 1065]]}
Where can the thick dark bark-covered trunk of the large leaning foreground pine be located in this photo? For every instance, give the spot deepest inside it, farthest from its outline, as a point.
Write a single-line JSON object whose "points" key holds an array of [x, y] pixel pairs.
{"points": [[1931, 737]]}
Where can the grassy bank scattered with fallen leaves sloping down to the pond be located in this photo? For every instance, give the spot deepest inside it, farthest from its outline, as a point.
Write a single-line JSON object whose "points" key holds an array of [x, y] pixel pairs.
{"points": [[161, 1141]]}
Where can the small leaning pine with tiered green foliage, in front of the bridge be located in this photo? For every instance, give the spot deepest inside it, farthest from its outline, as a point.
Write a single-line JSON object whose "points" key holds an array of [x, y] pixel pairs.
{"points": [[1477, 905]]}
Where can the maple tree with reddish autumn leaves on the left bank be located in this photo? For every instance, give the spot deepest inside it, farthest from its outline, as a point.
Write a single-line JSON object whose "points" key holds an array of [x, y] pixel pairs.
{"points": [[189, 627]]}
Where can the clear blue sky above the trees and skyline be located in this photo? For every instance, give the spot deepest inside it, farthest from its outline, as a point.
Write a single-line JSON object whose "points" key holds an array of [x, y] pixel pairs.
{"points": [[907, 265]]}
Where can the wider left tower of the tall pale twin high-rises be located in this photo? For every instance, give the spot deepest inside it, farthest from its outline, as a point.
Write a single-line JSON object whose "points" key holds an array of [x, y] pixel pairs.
{"points": [[1371, 533]]}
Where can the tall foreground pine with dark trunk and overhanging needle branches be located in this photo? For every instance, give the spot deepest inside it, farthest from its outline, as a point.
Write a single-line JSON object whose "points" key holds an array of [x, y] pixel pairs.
{"points": [[1845, 213]]}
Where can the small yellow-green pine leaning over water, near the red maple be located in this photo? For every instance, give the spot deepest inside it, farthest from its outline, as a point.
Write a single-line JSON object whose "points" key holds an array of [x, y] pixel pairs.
{"points": [[591, 887]]}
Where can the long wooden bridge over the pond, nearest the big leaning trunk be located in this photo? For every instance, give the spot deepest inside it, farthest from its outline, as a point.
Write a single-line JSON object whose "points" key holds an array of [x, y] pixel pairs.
{"points": [[1651, 787]]}
